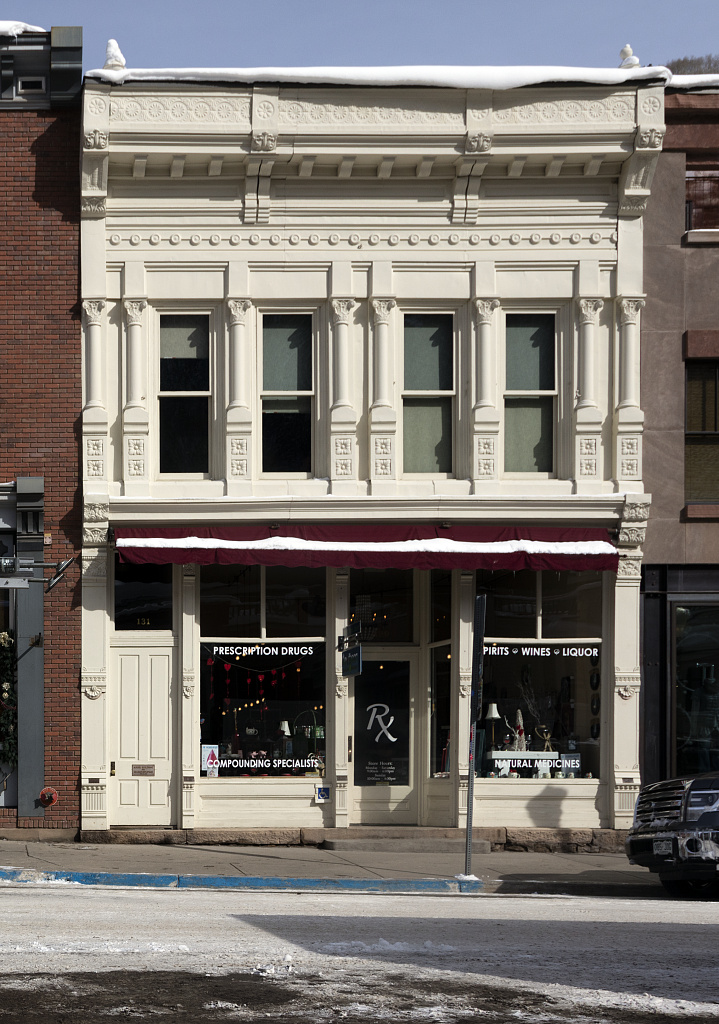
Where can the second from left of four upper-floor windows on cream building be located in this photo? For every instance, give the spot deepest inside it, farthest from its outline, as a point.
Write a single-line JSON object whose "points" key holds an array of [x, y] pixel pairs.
{"points": [[287, 394]]}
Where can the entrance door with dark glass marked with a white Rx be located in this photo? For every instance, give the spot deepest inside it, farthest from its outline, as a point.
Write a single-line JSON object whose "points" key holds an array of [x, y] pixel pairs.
{"points": [[384, 766]]}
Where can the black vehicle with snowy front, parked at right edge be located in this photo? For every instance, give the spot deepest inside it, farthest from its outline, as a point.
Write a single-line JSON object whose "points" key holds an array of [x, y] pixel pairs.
{"points": [[676, 834]]}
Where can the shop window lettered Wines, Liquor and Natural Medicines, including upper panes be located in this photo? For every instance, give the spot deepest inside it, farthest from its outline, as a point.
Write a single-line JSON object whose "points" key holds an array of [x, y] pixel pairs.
{"points": [[547, 691]]}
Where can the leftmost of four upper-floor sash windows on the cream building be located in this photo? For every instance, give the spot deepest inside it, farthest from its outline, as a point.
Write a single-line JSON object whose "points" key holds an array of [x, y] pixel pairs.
{"points": [[185, 394]]}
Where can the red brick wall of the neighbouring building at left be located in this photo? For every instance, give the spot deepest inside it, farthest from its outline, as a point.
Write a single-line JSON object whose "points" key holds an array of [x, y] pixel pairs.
{"points": [[40, 402]]}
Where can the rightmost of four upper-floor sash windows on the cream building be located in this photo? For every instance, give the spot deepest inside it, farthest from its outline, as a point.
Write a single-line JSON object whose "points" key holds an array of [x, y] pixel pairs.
{"points": [[531, 394]]}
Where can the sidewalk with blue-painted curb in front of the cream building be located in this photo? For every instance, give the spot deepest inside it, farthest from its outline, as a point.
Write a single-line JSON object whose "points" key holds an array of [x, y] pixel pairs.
{"points": [[311, 868]]}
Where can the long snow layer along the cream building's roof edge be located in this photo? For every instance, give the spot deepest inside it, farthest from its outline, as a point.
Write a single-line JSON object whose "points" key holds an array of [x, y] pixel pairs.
{"points": [[450, 77]]}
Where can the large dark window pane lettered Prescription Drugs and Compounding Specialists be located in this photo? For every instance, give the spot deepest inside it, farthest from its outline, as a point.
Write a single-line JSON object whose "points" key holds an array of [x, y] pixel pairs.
{"points": [[263, 709]]}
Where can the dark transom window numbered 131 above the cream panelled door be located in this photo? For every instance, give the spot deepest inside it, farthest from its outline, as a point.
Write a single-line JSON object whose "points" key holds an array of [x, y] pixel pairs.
{"points": [[143, 596]]}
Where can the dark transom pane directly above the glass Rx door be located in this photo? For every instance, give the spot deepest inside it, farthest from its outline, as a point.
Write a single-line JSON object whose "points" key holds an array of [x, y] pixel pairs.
{"points": [[383, 602]]}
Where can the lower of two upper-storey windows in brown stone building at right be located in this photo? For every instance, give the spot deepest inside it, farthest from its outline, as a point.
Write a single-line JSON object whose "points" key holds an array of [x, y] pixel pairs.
{"points": [[702, 437]]}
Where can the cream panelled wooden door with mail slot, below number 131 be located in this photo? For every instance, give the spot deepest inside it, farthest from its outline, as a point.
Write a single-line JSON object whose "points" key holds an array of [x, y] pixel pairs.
{"points": [[141, 739]]}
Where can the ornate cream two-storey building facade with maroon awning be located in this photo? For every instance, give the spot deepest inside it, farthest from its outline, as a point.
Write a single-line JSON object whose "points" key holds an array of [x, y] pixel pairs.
{"points": [[356, 315]]}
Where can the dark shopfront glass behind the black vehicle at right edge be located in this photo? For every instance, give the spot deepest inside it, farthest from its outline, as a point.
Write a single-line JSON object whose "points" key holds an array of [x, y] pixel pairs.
{"points": [[696, 689]]}
